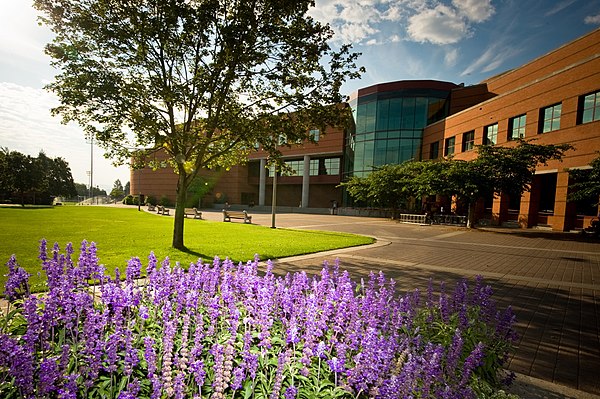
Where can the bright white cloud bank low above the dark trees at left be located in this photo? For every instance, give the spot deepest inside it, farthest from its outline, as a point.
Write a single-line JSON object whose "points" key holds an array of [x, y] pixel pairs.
{"points": [[27, 126]]}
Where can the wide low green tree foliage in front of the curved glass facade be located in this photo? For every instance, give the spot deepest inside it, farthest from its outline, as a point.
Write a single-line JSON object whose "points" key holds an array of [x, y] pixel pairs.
{"points": [[495, 170]]}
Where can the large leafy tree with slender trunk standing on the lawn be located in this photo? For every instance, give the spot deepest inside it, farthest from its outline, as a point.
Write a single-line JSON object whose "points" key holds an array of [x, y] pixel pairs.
{"points": [[203, 80]]}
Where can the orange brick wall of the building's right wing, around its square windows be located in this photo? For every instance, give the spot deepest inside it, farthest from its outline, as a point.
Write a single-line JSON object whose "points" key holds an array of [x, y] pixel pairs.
{"points": [[560, 77]]}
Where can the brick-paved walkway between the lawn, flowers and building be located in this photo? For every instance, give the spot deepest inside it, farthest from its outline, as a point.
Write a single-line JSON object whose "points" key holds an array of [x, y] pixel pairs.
{"points": [[552, 281]]}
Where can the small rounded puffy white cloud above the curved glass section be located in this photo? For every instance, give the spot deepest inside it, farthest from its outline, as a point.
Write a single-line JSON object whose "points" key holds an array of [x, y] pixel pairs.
{"points": [[440, 25]]}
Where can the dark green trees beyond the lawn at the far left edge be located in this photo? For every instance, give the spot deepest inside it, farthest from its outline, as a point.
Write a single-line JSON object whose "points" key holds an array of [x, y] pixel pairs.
{"points": [[26, 179]]}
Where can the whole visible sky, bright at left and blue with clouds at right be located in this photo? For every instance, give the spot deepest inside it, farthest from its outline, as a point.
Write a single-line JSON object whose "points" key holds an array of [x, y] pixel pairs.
{"points": [[462, 41]]}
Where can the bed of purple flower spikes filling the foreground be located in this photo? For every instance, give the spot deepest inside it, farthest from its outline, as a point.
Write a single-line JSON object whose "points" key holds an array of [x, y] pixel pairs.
{"points": [[222, 330]]}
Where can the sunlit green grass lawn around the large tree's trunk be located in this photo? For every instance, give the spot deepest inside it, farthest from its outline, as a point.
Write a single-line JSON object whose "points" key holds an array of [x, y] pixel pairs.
{"points": [[122, 233]]}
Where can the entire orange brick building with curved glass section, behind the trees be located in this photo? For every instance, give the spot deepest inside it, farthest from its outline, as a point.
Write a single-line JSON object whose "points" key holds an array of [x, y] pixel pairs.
{"points": [[554, 99]]}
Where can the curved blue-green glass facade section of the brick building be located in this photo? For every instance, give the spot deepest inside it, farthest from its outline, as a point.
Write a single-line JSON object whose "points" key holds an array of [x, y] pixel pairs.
{"points": [[389, 121]]}
